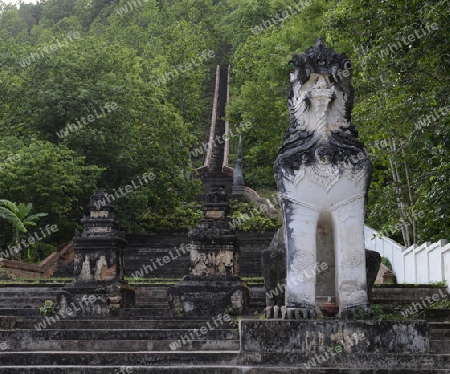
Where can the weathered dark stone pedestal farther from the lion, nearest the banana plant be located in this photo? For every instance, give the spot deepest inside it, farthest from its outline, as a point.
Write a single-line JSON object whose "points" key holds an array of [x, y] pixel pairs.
{"points": [[98, 263]]}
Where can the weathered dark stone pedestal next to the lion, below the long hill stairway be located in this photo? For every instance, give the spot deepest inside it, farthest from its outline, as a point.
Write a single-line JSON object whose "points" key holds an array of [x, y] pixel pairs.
{"points": [[213, 286]]}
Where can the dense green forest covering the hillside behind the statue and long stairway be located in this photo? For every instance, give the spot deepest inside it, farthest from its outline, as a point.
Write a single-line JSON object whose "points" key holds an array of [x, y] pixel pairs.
{"points": [[95, 93]]}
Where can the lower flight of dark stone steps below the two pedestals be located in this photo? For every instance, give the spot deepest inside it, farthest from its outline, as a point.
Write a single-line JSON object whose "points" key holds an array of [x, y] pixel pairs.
{"points": [[143, 346]]}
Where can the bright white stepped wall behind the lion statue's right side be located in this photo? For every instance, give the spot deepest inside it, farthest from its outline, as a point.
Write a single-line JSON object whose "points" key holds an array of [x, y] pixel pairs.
{"points": [[418, 264]]}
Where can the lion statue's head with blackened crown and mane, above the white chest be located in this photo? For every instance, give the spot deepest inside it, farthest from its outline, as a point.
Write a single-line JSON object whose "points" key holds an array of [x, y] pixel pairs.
{"points": [[320, 101]]}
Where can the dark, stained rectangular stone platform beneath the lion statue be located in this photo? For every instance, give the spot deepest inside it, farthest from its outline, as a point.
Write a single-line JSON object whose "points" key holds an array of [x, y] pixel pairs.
{"points": [[297, 342]]}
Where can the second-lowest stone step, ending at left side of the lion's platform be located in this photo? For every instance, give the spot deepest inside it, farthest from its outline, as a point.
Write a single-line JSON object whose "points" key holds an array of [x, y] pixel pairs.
{"points": [[51, 358]]}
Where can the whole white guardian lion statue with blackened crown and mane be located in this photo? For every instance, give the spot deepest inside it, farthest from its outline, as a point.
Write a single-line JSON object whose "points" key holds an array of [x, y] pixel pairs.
{"points": [[322, 173]]}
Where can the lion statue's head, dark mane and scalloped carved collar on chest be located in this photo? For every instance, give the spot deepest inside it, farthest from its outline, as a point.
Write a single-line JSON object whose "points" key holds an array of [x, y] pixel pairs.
{"points": [[320, 133]]}
